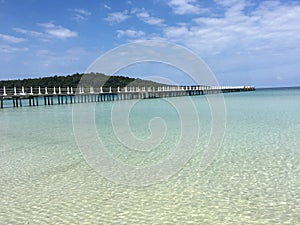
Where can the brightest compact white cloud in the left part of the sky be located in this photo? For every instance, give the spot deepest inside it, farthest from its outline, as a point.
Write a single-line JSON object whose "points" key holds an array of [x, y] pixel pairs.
{"points": [[58, 31]]}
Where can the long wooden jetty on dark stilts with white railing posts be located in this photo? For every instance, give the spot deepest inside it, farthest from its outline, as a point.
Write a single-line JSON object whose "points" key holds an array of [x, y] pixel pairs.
{"points": [[70, 95]]}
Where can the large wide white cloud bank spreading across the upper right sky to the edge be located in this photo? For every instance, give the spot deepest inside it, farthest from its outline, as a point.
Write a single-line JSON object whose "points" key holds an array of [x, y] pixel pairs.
{"points": [[268, 27]]}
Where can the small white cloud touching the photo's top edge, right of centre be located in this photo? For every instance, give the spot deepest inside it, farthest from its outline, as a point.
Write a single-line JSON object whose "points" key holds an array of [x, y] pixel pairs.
{"points": [[183, 7]]}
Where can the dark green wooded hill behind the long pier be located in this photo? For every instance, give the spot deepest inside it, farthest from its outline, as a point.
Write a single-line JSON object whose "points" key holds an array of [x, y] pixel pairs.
{"points": [[84, 80]]}
